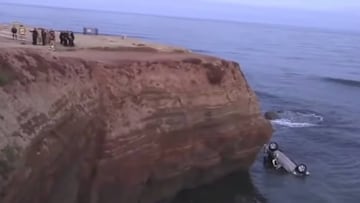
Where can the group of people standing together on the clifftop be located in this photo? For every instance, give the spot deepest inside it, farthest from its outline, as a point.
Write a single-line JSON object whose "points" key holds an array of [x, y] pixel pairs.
{"points": [[41, 36]]}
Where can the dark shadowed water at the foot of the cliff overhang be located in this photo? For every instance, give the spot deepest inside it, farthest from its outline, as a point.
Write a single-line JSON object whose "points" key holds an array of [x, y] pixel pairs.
{"points": [[235, 188]]}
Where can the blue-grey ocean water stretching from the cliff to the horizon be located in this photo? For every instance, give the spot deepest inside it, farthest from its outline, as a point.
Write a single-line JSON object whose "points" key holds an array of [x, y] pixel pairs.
{"points": [[311, 75]]}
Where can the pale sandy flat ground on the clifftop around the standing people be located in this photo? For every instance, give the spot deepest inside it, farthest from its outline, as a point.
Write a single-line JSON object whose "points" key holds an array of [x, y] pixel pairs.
{"points": [[86, 42]]}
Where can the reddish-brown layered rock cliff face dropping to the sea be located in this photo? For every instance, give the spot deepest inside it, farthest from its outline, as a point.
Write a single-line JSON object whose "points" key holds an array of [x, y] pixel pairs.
{"points": [[121, 126]]}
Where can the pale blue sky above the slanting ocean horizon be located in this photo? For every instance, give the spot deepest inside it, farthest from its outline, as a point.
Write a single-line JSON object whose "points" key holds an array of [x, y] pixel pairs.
{"points": [[324, 13]]}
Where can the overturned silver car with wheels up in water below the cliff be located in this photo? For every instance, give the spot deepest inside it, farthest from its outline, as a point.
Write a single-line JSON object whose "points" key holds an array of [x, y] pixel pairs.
{"points": [[277, 159]]}
